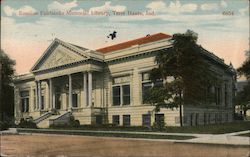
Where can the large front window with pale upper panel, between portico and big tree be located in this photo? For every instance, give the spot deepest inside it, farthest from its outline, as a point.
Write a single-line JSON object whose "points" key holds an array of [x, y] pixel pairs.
{"points": [[121, 91]]}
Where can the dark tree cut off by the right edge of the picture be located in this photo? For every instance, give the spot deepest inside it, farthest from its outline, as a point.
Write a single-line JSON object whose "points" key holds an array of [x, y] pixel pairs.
{"points": [[243, 97]]}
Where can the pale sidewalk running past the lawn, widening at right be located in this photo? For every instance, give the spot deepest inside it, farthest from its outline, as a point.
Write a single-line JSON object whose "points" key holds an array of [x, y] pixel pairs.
{"points": [[227, 139]]}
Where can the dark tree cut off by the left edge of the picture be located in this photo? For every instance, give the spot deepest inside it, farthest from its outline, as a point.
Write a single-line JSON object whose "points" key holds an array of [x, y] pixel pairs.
{"points": [[6, 87]]}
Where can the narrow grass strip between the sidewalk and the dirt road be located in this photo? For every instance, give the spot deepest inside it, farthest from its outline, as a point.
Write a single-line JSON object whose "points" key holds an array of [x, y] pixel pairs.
{"points": [[104, 134]]}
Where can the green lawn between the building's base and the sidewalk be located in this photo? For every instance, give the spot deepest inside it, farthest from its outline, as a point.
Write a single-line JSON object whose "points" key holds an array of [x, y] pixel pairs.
{"points": [[208, 129]]}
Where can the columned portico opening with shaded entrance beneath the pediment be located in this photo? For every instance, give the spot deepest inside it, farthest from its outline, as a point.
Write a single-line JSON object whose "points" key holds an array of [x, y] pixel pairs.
{"points": [[64, 85]]}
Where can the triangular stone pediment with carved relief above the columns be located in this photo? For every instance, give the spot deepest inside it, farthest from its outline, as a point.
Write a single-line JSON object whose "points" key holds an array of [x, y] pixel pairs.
{"points": [[58, 54]]}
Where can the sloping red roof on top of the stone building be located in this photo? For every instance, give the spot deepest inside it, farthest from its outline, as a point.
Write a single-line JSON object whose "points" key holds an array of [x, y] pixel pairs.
{"points": [[139, 41]]}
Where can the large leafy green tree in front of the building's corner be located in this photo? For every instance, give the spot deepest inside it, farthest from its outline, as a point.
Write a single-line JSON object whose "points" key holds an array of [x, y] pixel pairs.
{"points": [[188, 75]]}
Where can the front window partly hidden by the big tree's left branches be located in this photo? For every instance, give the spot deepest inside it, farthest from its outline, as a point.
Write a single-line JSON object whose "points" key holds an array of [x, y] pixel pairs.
{"points": [[147, 84]]}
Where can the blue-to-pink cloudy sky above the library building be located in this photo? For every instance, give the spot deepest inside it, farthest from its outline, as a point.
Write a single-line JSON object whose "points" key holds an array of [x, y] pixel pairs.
{"points": [[29, 26]]}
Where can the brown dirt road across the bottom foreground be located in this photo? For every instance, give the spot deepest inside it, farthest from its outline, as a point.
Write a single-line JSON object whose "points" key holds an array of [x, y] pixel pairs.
{"points": [[86, 146]]}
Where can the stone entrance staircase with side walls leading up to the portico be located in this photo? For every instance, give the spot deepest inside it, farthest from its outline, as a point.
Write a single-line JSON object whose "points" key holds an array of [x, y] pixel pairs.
{"points": [[49, 118]]}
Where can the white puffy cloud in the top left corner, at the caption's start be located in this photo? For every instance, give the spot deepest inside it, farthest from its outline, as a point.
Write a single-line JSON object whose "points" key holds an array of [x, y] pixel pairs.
{"points": [[9, 11]]}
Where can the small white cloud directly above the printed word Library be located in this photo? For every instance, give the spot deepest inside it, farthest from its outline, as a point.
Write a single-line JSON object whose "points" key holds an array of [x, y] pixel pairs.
{"points": [[107, 6]]}
